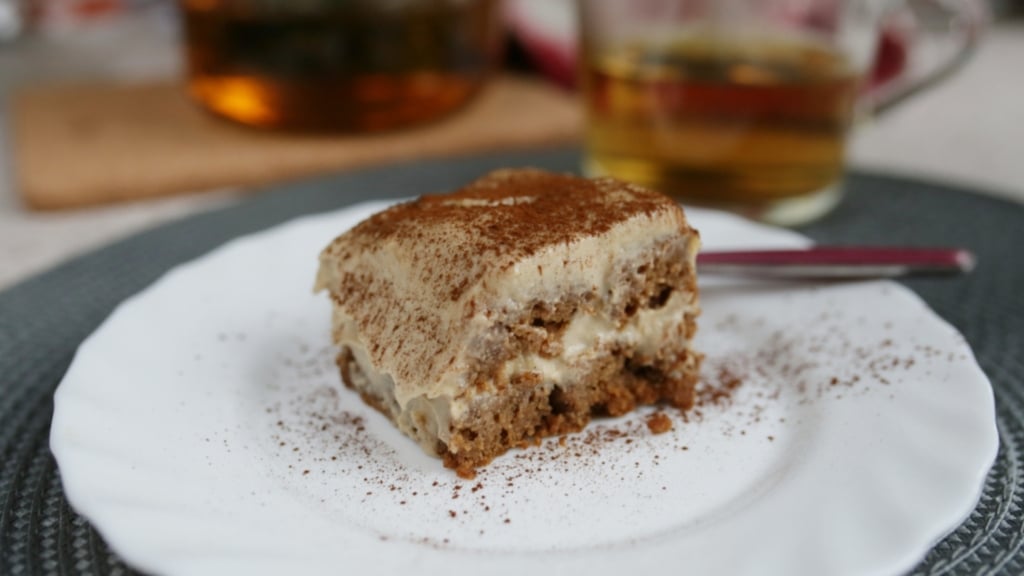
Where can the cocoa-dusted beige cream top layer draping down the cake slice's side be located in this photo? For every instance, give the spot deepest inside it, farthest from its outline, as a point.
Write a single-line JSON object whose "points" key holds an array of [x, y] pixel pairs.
{"points": [[422, 282]]}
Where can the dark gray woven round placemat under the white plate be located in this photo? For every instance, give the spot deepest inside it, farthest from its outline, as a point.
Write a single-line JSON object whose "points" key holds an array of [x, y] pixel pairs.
{"points": [[44, 320]]}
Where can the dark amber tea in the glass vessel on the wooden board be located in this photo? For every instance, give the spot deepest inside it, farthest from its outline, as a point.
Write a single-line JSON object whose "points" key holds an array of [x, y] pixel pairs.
{"points": [[355, 66]]}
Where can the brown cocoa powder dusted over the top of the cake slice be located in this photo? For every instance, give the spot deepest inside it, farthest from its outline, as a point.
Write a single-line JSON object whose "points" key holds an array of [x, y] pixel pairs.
{"points": [[505, 217]]}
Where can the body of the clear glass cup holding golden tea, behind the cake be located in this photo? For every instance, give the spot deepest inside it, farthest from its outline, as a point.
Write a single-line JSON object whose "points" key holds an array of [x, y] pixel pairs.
{"points": [[734, 104]]}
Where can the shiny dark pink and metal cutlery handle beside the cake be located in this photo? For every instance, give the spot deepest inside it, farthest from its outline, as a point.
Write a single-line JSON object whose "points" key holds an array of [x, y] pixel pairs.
{"points": [[838, 262]]}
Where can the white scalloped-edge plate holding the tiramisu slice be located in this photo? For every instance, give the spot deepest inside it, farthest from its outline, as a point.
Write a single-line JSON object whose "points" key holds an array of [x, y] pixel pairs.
{"points": [[202, 429]]}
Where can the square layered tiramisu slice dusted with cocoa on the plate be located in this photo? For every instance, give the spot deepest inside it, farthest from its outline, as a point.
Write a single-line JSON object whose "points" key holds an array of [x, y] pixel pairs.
{"points": [[516, 309]]}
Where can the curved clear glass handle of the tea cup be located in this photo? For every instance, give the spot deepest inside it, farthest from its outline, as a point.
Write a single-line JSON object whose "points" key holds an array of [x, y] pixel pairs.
{"points": [[964, 18]]}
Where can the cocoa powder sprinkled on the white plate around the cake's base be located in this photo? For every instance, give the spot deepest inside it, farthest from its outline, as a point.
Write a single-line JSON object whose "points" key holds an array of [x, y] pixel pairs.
{"points": [[746, 394]]}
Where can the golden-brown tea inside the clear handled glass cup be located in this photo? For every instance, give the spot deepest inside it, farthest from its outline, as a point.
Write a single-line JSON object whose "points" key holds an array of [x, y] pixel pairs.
{"points": [[720, 122]]}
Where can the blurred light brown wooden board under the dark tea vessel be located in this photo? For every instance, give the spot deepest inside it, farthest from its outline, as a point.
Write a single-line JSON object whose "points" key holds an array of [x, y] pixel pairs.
{"points": [[86, 145]]}
